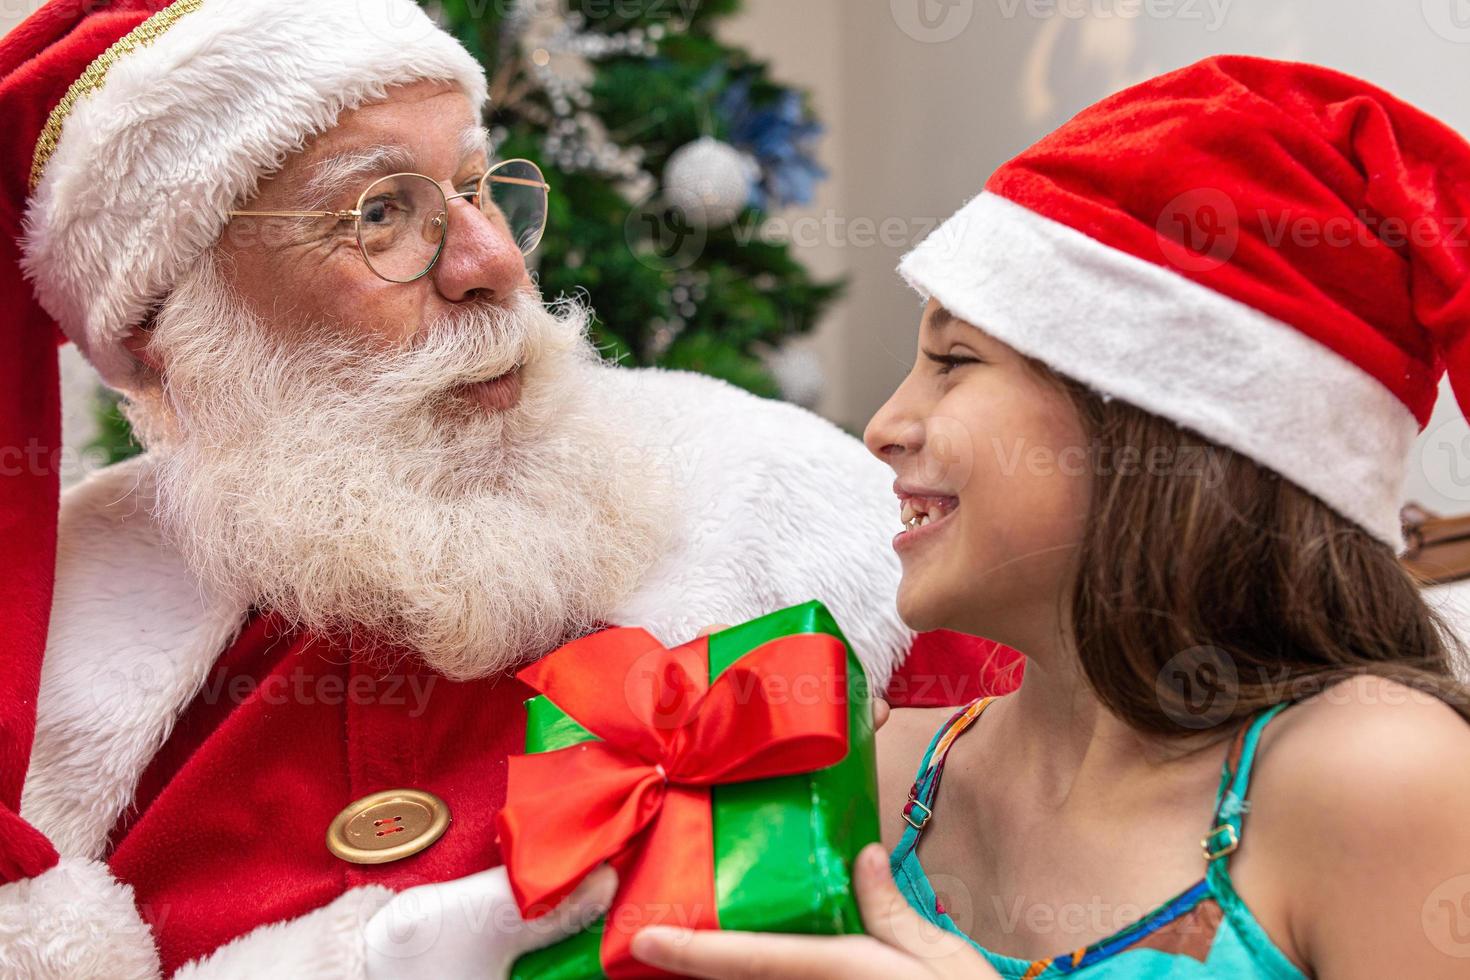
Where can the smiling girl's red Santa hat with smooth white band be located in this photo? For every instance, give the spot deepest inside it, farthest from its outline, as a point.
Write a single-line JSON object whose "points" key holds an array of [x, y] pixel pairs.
{"points": [[1272, 255]]}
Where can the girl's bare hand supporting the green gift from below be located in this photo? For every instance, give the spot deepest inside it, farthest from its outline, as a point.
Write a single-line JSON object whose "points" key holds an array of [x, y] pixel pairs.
{"points": [[899, 945]]}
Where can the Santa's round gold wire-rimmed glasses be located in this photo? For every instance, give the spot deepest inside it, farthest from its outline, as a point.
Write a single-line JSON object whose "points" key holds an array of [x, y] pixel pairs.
{"points": [[405, 226]]}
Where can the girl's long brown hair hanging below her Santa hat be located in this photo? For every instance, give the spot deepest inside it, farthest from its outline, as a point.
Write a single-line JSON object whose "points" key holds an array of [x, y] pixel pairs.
{"points": [[1211, 588]]}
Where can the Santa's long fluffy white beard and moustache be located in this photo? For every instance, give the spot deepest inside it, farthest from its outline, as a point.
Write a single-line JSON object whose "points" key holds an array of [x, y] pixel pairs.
{"points": [[348, 490]]}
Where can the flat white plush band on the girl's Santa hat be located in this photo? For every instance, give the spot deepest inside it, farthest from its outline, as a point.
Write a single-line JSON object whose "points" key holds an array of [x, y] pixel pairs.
{"points": [[1177, 349]]}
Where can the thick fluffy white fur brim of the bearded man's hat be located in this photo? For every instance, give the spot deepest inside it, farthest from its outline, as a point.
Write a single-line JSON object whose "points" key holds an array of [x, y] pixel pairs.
{"points": [[186, 127]]}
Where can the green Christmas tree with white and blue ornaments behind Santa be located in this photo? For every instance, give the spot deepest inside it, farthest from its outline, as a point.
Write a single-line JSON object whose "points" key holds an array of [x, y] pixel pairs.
{"points": [[667, 152]]}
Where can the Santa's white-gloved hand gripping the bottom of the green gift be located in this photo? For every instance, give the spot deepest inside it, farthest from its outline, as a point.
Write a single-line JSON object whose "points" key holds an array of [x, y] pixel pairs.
{"points": [[471, 928]]}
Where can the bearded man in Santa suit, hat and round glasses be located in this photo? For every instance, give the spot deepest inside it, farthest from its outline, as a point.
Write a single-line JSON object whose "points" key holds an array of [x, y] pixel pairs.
{"points": [[380, 475]]}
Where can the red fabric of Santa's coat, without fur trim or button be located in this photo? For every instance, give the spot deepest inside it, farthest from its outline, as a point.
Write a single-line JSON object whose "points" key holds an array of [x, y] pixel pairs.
{"points": [[289, 729]]}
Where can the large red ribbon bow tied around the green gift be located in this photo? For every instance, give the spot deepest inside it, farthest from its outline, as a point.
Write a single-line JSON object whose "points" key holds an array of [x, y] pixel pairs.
{"points": [[640, 799]]}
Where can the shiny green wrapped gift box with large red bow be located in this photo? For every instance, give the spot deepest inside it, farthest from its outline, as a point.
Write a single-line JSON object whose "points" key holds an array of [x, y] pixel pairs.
{"points": [[730, 781]]}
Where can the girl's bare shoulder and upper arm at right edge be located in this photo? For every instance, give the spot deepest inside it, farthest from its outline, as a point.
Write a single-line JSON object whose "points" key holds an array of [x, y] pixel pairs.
{"points": [[1358, 804]]}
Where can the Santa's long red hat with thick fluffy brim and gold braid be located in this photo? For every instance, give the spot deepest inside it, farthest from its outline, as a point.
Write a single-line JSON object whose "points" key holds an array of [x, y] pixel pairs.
{"points": [[132, 129]]}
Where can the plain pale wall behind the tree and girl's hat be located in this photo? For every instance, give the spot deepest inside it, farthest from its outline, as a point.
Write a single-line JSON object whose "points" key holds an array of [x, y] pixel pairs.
{"points": [[925, 98]]}
